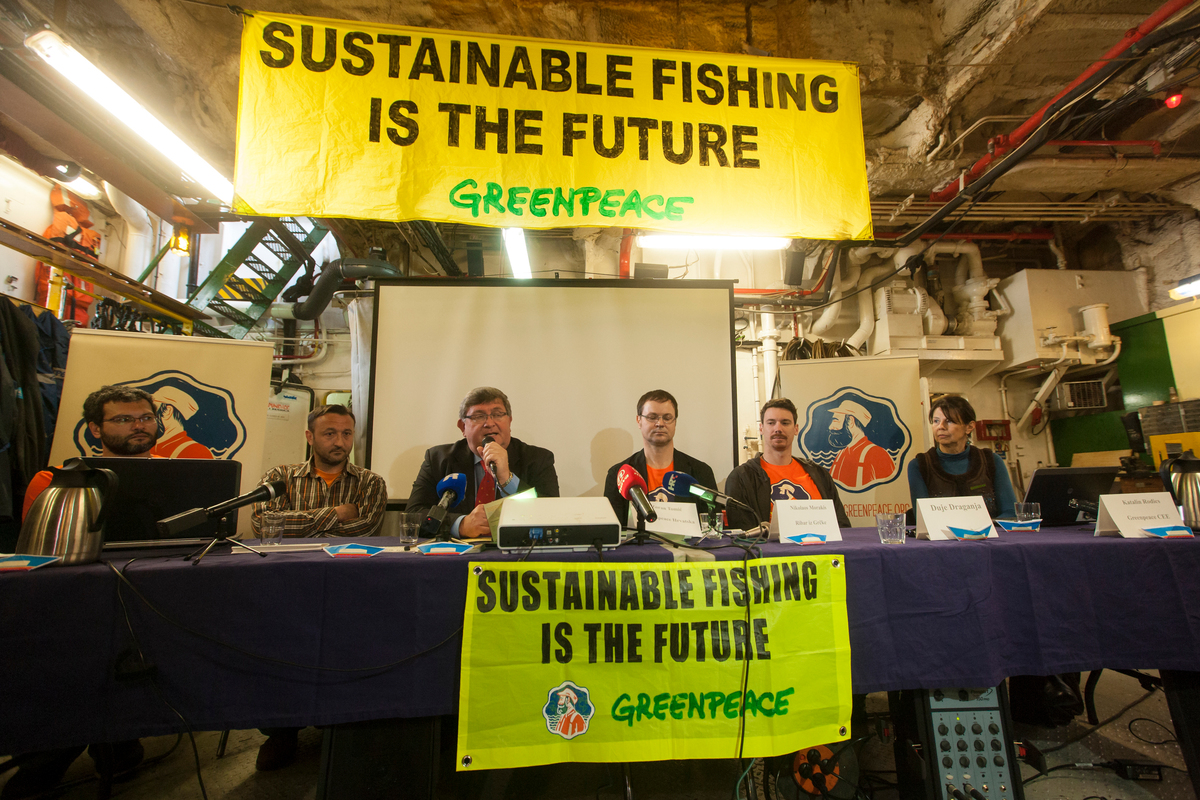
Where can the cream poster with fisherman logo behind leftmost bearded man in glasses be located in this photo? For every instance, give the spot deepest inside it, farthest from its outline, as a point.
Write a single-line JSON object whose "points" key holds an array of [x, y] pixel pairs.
{"points": [[212, 395]]}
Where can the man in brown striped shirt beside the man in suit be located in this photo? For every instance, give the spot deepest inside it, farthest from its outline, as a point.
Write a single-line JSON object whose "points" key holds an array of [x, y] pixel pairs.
{"points": [[327, 495]]}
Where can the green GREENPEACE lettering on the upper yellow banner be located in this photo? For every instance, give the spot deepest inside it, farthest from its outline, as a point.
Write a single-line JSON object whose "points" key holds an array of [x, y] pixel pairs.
{"points": [[563, 202]]}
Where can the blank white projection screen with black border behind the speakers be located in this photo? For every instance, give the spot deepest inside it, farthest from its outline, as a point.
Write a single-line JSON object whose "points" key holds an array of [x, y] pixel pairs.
{"points": [[573, 357]]}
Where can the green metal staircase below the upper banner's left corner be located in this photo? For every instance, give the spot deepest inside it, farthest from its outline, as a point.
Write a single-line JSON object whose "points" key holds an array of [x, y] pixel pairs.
{"points": [[284, 238]]}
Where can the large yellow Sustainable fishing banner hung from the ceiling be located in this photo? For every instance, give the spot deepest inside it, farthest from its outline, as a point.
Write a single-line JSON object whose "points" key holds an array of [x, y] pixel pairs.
{"points": [[347, 119]]}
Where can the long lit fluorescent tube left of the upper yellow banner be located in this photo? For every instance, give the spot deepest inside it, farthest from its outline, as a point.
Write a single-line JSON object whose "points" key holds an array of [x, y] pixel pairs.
{"points": [[82, 73]]}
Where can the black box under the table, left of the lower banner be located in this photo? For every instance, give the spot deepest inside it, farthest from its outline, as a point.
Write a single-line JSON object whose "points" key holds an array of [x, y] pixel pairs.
{"points": [[397, 760]]}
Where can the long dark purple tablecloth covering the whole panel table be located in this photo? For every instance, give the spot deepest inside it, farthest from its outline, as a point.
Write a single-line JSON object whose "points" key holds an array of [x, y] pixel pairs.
{"points": [[922, 615]]}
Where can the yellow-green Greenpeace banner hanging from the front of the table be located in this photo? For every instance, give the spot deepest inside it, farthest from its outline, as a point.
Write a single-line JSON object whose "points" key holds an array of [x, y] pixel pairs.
{"points": [[621, 663]]}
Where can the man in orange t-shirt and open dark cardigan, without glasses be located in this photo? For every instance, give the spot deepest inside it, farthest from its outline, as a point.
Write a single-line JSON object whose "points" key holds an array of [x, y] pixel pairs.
{"points": [[777, 474]]}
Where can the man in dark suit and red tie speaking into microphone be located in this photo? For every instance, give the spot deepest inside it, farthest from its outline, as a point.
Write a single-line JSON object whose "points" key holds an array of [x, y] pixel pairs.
{"points": [[485, 412]]}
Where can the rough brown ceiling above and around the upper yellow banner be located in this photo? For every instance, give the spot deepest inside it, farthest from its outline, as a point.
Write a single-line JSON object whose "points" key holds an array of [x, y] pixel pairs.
{"points": [[931, 69]]}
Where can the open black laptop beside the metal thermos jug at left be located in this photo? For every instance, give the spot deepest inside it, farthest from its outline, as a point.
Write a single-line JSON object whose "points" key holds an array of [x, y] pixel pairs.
{"points": [[151, 490]]}
